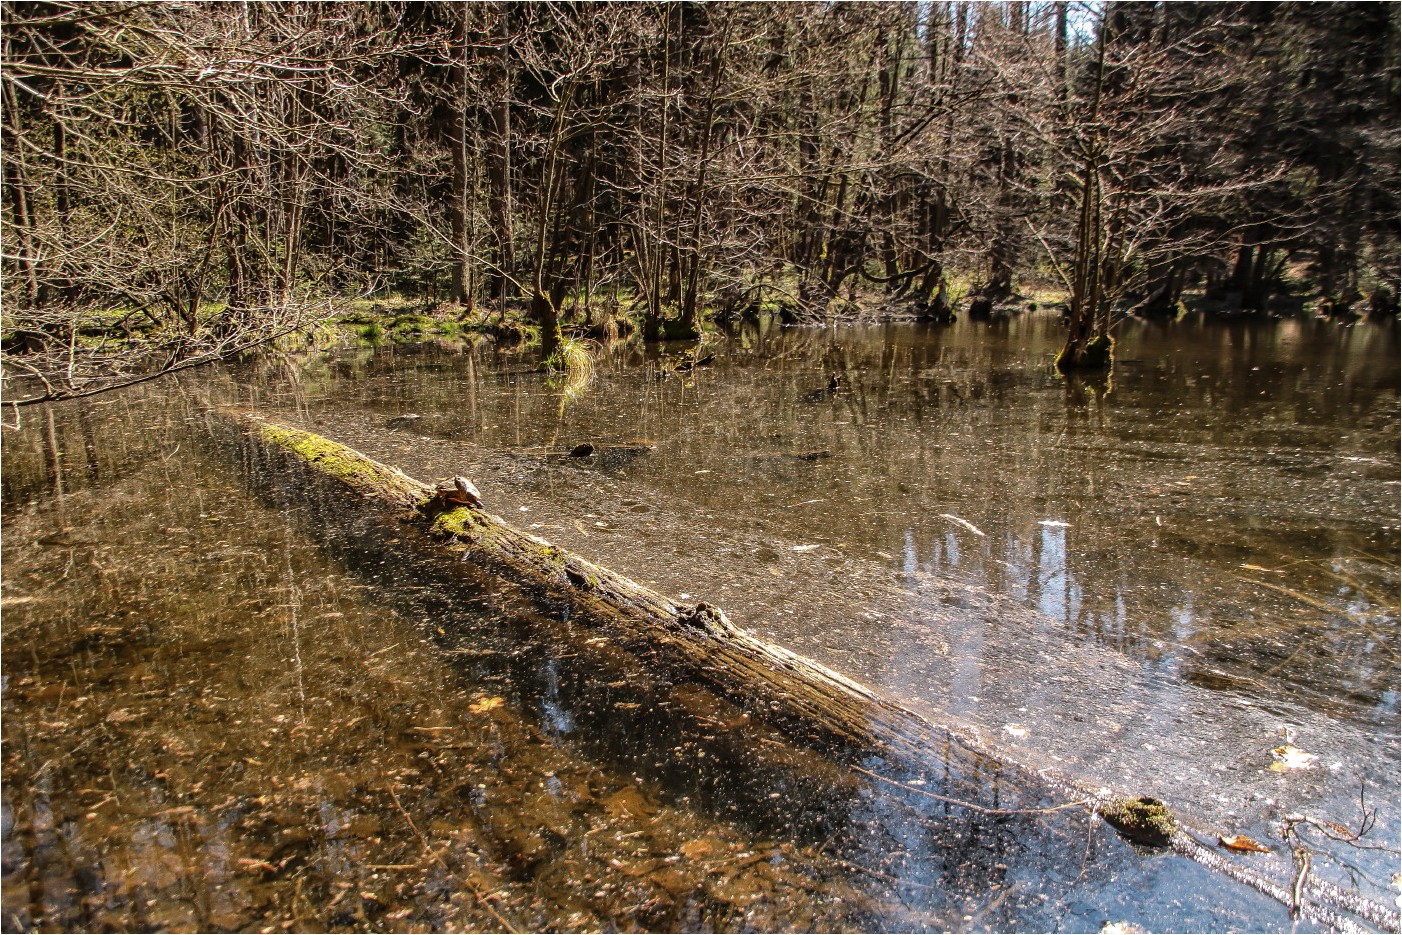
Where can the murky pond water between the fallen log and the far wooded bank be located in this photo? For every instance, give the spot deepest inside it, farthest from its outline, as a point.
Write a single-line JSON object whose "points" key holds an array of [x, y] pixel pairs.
{"points": [[1148, 582]]}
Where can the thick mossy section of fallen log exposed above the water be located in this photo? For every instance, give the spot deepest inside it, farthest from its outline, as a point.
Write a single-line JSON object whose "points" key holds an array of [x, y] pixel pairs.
{"points": [[801, 697]]}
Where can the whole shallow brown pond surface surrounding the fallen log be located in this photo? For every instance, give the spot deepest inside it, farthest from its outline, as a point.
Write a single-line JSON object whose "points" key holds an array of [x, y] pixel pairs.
{"points": [[228, 711]]}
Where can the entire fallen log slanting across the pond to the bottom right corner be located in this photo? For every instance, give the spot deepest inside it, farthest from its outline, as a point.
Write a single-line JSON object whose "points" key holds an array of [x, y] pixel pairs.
{"points": [[808, 703]]}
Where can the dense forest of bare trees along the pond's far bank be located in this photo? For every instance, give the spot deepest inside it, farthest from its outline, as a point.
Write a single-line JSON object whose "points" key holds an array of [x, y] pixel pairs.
{"points": [[187, 180]]}
